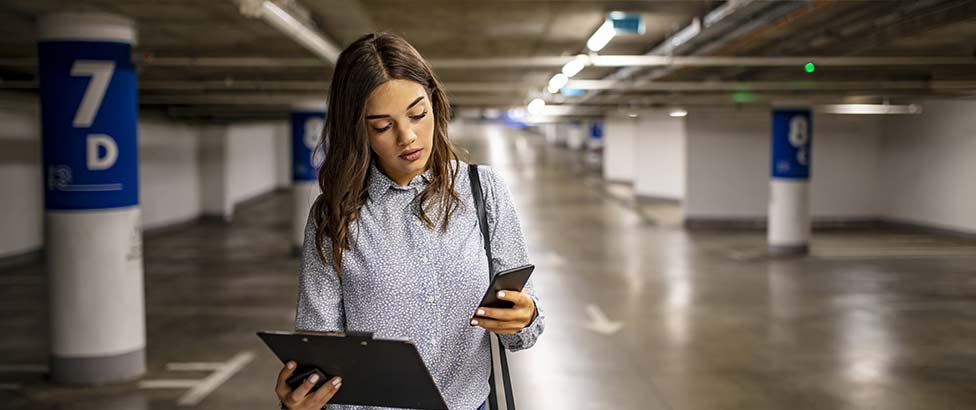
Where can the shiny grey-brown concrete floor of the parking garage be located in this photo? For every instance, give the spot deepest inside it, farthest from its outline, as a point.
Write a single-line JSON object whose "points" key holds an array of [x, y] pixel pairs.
{"points": [[871, 320]]}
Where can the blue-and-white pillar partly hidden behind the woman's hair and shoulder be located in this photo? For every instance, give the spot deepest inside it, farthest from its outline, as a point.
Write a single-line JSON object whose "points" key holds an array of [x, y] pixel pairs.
{"points": [[307, 120]]}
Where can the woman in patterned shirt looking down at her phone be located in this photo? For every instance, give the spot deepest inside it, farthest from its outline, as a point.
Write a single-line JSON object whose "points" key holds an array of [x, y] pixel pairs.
{"points": [[392, 245]]}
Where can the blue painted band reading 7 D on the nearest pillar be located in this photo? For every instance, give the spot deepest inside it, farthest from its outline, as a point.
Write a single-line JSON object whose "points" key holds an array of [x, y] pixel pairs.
{"points": [[88, 124]]}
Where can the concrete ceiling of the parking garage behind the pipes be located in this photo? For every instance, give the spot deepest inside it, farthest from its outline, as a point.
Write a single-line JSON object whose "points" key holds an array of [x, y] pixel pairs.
{"points": [[463, 29]]}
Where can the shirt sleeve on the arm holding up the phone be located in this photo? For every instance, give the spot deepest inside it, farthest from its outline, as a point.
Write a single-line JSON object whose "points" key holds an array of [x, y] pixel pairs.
{"points": [[508, 251]]}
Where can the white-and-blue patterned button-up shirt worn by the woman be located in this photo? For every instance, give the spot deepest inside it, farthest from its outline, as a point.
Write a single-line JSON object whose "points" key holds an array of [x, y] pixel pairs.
{"points": [[402, 279]]}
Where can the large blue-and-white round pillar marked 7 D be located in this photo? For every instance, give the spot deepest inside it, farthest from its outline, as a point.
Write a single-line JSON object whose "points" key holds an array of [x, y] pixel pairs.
{"points": [[91, 197]]}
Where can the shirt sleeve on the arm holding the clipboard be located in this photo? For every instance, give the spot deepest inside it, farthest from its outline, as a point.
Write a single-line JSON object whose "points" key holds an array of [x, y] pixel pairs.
{"points": [[320, 306]]}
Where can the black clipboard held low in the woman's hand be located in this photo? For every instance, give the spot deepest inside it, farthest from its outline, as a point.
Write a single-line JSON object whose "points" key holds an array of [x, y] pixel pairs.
{"points": [[375, 372]]}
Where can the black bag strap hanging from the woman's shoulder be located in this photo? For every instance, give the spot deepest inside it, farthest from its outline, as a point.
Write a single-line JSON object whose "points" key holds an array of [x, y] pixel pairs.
{"points": [[479, 203]]}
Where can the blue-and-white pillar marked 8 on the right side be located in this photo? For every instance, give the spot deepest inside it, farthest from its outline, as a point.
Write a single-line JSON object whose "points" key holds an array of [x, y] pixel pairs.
{"points": [[789, 201]]}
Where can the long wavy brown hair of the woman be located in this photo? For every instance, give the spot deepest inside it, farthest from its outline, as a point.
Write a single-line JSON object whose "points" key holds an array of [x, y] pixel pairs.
{"points": [[367, 63]]}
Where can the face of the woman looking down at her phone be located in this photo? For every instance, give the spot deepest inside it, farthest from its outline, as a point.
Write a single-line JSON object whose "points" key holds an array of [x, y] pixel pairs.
{"points": [[400, 124]]}
